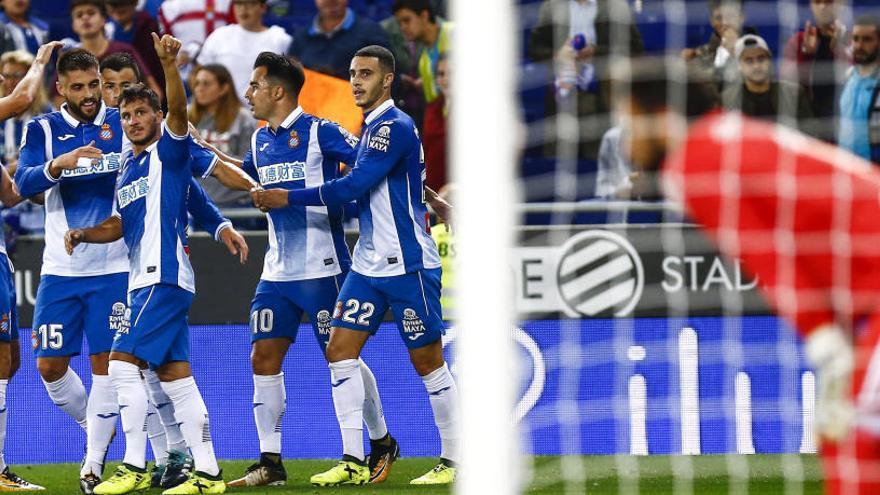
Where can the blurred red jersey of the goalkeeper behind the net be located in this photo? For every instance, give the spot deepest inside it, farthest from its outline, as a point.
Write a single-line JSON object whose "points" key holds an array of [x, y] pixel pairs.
{"points": [[803, 216]]}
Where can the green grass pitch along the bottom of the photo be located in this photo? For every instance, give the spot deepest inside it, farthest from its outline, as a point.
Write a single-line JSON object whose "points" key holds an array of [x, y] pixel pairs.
{"points": [[755, 474]]}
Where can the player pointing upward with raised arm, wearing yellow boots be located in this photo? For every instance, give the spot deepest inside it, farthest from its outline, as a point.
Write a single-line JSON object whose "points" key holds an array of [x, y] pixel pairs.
{"points": [[149, 215]]}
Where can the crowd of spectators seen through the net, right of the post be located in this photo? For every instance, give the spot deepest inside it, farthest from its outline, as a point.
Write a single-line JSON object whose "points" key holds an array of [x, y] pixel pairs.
{"points": [[823, 80]]}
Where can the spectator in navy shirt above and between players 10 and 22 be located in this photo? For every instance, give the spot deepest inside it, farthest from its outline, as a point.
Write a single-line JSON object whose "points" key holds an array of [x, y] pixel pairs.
{"points": [[336, 33]]}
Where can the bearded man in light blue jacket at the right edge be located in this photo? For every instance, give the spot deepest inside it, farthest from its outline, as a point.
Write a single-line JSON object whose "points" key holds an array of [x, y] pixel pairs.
{"points": [[860, 99]]}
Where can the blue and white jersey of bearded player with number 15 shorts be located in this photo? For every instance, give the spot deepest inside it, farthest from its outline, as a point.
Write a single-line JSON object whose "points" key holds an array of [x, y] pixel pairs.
{"points": [[79, 198]]}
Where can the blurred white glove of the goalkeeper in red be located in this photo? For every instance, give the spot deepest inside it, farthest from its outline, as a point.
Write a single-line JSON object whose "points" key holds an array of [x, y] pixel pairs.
{"points": [[831, 354]]}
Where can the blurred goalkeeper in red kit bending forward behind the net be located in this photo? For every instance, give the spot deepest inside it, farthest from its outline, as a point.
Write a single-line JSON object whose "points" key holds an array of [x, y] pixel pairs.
{"points": [[802, 215]]}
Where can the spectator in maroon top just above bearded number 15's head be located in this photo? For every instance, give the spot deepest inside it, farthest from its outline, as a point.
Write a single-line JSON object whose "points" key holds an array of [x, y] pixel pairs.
{"points": [[88, 18]]}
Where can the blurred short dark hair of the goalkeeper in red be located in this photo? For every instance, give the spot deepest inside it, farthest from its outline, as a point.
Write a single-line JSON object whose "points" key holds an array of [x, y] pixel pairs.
{"points": [[654, 83]]}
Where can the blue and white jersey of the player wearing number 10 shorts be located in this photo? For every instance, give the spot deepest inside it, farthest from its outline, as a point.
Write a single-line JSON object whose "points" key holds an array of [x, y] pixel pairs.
{"points": [[305, 242]]}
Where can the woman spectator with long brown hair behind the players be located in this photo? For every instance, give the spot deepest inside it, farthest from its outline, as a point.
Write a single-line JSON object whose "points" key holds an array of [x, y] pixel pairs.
{"points": [[223, 122]]}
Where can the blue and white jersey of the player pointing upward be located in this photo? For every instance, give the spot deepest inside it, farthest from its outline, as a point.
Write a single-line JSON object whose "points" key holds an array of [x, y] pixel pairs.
{"points": [[151, 197]]}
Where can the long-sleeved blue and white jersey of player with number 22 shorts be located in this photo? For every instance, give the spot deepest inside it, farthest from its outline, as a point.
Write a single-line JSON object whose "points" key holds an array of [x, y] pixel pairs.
{"points": [[388, 182]]}
